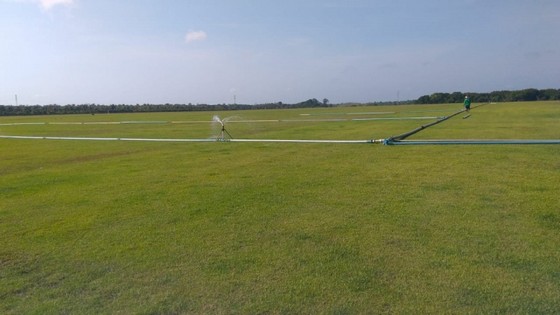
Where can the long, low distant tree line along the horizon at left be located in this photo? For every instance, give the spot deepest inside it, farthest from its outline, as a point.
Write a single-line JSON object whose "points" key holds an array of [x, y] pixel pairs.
{"points": [[93, 109]]}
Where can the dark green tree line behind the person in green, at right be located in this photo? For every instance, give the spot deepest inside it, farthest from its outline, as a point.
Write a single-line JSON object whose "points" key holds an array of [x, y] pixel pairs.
{"points": [[496, 96]]}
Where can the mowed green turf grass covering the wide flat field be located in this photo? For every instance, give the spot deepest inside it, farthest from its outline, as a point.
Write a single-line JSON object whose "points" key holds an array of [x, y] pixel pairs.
{"points": [[223, 227]]}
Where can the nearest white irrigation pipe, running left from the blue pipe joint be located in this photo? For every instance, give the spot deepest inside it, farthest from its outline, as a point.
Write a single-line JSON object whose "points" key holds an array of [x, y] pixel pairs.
{"points": [[191, 140]]}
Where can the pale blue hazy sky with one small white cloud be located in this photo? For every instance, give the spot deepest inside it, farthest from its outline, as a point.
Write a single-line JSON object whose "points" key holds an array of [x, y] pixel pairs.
{"points": [[267, 51]]}
